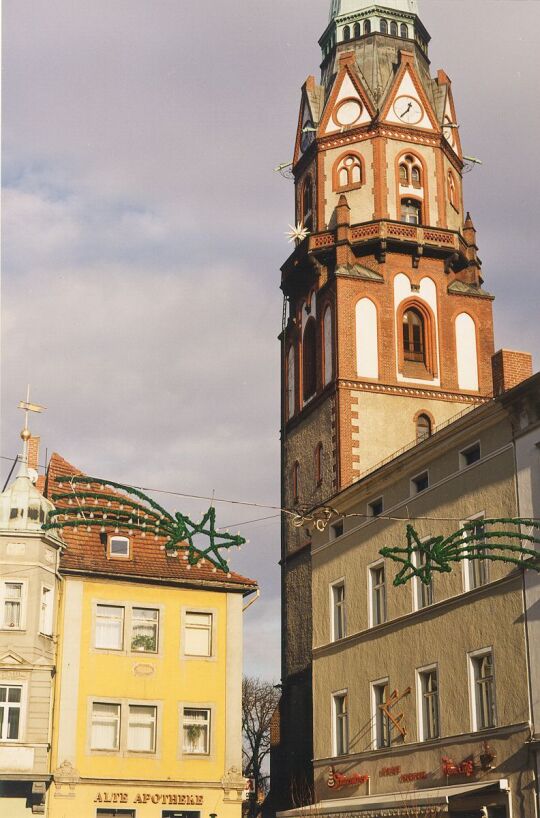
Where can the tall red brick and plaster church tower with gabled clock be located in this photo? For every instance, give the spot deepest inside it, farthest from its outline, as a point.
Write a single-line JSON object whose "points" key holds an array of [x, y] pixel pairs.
{"points": [[389, 330]]}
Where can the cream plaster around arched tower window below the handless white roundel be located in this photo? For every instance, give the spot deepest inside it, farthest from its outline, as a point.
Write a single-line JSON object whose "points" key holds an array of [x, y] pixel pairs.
{"points": [[360, 200]]}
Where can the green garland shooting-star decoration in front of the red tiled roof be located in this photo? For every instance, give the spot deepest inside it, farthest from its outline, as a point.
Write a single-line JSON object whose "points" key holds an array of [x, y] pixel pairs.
{"points": [[89, 503]]}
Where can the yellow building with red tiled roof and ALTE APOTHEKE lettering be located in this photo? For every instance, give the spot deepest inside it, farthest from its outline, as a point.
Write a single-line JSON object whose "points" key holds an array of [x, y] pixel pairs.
{"points": [[147, 720]]}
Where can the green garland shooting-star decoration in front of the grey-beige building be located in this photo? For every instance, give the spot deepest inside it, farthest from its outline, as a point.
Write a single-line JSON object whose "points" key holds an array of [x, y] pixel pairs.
{"points": [[475, 541]]}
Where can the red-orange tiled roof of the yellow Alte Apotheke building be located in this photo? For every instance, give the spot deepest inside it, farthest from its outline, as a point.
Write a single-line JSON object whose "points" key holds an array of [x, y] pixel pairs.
{"points": [[86, 551]]}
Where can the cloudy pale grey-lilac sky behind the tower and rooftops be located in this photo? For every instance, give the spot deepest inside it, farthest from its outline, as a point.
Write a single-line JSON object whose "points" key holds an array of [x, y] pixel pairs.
{"points": [[143, 232]]}
